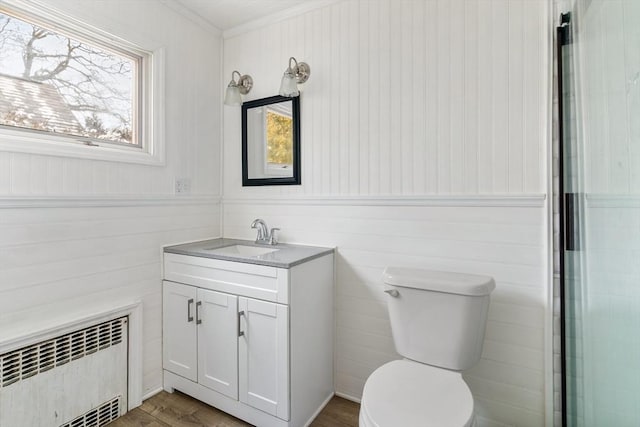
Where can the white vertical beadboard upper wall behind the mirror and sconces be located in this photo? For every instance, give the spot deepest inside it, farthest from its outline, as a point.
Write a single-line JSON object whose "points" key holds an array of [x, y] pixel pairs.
{"points": [[407, 97]]}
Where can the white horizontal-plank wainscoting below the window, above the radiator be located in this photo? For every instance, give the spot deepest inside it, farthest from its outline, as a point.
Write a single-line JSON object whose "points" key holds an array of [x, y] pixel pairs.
{"points": [[59, 255]]}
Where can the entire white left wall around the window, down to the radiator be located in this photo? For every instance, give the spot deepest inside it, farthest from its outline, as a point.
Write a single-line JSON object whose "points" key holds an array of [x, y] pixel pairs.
{"points": [[83, 229]]}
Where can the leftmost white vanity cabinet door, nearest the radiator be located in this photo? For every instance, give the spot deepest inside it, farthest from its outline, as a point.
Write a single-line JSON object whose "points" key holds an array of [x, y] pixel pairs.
{"points": [[179, 330]]}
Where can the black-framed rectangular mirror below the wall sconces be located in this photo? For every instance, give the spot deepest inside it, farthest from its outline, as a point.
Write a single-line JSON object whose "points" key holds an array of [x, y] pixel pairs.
{"points": [[271, 141]]}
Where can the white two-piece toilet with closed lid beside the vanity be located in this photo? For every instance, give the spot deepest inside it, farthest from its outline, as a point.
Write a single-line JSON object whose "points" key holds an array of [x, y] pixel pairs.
{"points": [[438, 321]]}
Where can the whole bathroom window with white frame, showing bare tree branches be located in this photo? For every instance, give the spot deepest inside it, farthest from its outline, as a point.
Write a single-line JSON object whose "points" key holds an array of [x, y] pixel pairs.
{"points": [[73, 90]]}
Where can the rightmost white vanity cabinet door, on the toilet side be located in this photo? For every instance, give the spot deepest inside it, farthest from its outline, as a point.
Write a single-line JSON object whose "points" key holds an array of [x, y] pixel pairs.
{"points": [[264, 356]]}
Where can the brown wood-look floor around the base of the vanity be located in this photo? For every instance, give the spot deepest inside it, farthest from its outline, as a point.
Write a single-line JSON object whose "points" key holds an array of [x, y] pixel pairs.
{"points": [[179, 410]]}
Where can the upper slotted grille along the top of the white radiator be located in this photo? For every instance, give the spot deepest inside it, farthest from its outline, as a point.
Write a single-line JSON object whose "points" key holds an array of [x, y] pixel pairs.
{"points": [[37, 358]]}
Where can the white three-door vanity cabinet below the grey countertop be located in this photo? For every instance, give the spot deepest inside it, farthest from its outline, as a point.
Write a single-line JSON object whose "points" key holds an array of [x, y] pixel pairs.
{"points": [[255, 341]]}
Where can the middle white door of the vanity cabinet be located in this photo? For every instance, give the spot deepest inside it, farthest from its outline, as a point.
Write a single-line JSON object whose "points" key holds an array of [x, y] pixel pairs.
{"points": [[218, 342]]}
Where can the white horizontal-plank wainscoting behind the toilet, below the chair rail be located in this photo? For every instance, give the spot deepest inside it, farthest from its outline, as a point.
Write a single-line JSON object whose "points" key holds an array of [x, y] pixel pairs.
{"points": [[507, 243]]}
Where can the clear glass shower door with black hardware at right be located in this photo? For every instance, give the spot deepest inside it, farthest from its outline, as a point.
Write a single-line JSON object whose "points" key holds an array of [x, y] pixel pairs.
{"points": [[601, 213]]}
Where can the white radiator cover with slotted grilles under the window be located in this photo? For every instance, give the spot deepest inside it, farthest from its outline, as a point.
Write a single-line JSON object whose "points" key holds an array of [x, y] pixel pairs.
{"points": [[78, 379]]}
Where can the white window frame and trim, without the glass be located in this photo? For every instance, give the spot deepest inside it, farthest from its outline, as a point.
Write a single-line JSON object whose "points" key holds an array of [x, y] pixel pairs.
{"points": [[150, 101]]}
